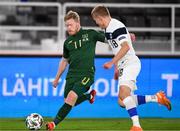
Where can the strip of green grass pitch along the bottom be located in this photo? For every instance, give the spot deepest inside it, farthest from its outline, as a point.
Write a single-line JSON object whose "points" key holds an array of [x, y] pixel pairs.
{"points": [[121, 124]]}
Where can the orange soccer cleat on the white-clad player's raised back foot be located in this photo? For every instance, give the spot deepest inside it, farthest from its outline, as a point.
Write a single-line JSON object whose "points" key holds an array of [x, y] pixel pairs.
{"points": [[163, 100]]}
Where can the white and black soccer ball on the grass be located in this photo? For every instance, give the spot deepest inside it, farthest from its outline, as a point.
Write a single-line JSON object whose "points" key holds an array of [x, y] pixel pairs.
{"points": [[34, 121]]}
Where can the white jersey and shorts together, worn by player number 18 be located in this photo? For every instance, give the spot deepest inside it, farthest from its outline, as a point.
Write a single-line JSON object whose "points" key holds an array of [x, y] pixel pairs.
{"points": [[129, 65]]}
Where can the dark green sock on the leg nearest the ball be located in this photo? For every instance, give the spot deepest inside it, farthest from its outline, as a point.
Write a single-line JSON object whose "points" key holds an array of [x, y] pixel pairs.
{"points": [[62, 113]]}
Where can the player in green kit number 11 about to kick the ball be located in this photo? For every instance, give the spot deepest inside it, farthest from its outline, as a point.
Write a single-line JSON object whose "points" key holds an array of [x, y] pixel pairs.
{"points": [[79, 53]]}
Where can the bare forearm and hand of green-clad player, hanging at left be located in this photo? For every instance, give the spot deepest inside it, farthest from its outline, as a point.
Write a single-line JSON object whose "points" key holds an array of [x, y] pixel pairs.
{"points": [[62, 66]]}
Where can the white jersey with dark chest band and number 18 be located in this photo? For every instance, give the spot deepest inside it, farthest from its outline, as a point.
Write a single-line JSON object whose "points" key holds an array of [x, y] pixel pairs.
{"points": [[116, 33]]}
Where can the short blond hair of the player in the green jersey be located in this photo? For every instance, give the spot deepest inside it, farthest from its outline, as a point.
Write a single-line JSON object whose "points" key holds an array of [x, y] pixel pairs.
{"points": [[72, 15]]}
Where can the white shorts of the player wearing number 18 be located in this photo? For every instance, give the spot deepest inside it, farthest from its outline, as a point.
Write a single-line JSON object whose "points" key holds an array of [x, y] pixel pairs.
{"points": [[128, 74]]}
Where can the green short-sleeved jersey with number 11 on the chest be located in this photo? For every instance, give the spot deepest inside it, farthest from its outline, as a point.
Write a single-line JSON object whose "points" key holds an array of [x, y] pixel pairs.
{"points": [[79, 50]]}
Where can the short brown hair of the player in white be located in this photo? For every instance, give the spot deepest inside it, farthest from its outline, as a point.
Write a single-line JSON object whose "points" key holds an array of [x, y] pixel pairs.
{"points": [[100, 10]]}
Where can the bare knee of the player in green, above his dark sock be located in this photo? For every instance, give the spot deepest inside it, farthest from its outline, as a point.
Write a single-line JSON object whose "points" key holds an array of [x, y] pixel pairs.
{"points": [[71, 98]]}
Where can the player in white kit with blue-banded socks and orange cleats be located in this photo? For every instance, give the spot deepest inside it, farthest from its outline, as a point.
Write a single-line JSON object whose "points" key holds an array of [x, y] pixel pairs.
{"points": [[128, 65]]}
